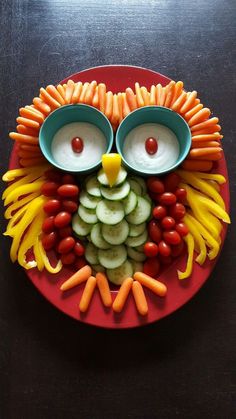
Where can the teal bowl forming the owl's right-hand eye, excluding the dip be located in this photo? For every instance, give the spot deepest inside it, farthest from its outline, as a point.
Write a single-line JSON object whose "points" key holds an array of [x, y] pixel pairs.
{"points": [[158, 115]]}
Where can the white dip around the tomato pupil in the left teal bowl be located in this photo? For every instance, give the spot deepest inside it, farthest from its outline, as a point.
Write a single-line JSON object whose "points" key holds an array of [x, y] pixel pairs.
{"points": [[94, 145]]}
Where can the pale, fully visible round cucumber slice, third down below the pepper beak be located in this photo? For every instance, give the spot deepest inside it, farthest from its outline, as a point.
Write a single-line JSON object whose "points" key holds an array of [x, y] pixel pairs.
{"points": [[110, 212]]}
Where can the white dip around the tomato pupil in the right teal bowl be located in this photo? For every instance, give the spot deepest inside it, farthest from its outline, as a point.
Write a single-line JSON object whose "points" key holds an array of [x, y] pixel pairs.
{"points": [[136, 155]]}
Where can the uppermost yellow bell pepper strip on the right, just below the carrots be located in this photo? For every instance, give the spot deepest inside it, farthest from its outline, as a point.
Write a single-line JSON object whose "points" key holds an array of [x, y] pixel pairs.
{"points": [[201, 184]]}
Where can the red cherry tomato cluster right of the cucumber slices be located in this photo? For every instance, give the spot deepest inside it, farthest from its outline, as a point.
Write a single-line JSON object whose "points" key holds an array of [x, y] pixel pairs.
{"points": [[166, 229]]}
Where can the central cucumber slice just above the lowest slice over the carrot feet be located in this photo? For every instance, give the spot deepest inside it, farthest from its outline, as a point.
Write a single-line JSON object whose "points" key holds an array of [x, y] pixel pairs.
{"points": [[113, 257]]}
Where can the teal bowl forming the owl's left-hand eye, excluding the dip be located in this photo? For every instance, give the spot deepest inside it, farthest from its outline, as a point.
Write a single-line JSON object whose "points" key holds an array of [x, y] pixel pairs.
{"points": [[66, 115]]}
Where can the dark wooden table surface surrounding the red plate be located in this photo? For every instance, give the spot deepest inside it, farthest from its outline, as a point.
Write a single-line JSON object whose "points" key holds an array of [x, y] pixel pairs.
{"points": [[183, 366]]}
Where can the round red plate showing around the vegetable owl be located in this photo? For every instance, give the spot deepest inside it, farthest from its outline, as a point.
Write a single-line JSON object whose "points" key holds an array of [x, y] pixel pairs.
{"points": [[117, 78]]}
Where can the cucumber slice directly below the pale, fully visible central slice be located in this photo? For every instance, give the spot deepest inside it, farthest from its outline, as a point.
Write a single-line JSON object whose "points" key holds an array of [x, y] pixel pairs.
{"points": [[116, 234]]}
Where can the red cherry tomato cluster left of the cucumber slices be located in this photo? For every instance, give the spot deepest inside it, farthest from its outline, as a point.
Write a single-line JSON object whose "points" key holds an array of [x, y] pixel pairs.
{"points": [[57, 232]]}
